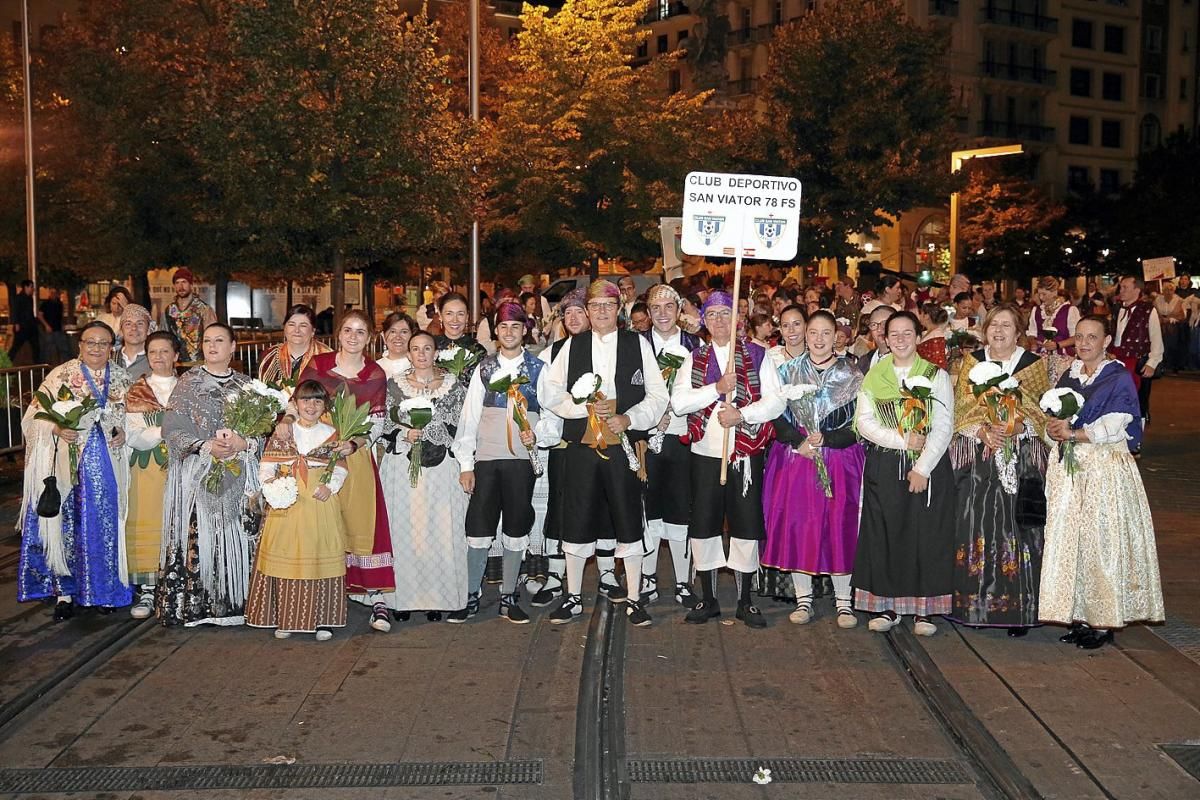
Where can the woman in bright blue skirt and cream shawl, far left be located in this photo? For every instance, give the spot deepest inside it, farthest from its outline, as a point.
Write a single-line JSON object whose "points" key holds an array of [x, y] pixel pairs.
{"points": [[74, 502]]}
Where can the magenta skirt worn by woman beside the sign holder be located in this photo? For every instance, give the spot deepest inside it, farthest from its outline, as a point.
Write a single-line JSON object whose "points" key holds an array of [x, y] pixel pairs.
{"points": [[808, 532]]}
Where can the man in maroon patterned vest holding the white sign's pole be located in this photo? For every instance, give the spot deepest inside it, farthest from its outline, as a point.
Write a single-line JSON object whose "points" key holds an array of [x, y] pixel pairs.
{"points": [[743, 400]]}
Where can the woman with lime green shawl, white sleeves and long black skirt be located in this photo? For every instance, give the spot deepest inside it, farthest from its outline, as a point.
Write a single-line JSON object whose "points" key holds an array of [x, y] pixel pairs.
{"points": [[905, 560]]}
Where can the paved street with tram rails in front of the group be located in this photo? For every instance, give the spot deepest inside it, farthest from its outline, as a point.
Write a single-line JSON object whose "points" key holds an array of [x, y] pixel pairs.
{"points": [[891, 719]]}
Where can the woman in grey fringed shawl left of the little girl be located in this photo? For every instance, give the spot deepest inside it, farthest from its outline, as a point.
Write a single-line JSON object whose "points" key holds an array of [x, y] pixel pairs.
{"points": [[208, 554]]}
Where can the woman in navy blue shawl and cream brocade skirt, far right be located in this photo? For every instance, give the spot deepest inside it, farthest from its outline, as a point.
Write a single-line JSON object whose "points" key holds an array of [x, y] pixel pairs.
{"points": [[1101, 566]]}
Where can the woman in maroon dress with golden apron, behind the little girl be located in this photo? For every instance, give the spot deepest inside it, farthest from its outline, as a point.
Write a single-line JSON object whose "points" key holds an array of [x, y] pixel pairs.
{"points": [[369, 573]]}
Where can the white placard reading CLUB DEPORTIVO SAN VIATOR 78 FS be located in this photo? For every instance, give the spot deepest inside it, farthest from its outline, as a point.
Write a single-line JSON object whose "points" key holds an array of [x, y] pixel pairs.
{"points": [[760, 214]]}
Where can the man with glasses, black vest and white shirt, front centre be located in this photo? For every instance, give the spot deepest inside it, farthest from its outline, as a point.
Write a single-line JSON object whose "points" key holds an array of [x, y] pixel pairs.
{"points": [[603, 495]]}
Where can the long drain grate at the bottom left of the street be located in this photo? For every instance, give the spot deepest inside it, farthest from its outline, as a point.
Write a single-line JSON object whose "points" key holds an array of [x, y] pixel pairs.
{"points": [[268, 777]]}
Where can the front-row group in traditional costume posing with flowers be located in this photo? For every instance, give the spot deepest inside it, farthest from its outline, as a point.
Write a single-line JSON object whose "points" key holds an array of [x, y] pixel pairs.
{"points": [[914, 494]]}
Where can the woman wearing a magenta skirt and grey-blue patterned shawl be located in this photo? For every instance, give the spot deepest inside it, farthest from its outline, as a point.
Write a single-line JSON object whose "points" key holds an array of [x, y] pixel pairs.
{"points": [[811, 530]]}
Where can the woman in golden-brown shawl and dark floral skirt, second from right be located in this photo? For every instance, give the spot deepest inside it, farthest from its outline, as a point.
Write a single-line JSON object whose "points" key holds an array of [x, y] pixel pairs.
{"points": [[1000, 471]]}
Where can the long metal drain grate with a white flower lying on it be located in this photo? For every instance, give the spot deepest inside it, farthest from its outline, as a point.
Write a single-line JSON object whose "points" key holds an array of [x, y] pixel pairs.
{"points": [[799, 771]]}
